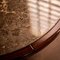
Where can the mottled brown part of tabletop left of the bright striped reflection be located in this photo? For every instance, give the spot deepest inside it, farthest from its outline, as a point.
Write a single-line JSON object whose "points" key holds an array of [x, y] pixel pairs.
{"points": [[15, 26]]}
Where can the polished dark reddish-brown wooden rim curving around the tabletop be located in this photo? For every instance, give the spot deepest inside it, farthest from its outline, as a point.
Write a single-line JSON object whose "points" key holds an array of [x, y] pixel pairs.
{"points": [[35, 46]]}
